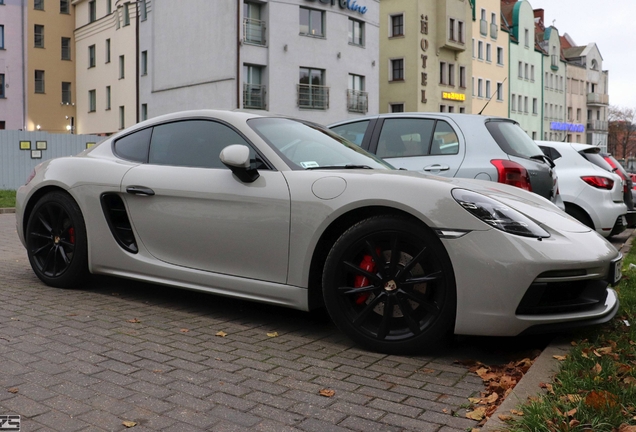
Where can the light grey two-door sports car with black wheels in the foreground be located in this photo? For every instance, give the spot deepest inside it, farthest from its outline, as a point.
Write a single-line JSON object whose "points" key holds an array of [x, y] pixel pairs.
{"points": [[286, 212]]}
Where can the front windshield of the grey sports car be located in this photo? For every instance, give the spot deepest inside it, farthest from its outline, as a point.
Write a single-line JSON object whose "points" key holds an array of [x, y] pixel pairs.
{"points": [[309, 146]]}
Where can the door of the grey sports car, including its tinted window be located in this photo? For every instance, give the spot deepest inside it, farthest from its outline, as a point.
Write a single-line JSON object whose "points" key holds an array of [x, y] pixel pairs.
{"points": [[189, 210]]}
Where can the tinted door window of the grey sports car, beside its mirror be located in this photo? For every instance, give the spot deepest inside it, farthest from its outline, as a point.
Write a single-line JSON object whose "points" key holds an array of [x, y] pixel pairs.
{"points": [[194, 143]]}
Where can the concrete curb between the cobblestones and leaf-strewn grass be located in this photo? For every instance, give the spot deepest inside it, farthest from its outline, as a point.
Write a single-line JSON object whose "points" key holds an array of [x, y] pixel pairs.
{"points": [[542, 371]]}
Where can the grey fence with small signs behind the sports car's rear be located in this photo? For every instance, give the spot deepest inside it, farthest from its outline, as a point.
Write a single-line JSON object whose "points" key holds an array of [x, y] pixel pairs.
{"points": [[21, 151]]}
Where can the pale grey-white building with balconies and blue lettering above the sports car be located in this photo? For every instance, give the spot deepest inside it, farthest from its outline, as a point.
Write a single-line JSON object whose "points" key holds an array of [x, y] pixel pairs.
{"points": [[312, 59]]}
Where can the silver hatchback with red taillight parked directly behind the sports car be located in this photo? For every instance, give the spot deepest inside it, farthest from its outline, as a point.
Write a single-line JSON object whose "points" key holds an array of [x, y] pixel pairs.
{"points": [[455, 145]]}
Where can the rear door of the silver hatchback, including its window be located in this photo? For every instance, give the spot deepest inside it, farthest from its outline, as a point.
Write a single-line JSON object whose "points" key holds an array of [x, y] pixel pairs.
{"points": [[427, 145]]}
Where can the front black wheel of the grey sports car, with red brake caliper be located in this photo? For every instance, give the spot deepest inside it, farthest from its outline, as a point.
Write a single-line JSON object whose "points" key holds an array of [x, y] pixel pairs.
{"points": [[406, 268]]}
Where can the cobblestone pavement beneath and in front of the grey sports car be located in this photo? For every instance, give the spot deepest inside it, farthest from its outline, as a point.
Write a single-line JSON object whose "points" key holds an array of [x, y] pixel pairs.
{"points": [[90, 359]]}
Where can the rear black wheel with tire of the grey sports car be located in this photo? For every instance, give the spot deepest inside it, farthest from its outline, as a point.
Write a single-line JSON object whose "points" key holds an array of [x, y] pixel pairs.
{"points": [[56, 241]]}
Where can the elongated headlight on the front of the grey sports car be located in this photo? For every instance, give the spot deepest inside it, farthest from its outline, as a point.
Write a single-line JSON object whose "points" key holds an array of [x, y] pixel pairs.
{"points": [[497, 214]]}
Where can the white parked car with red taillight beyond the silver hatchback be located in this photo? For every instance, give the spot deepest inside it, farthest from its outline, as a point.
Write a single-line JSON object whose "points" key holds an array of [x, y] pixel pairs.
{"points": [[592, 195]]}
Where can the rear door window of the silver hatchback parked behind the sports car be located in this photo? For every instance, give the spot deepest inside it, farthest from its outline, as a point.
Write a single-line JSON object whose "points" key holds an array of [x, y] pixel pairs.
{"points": [[405, 137]]}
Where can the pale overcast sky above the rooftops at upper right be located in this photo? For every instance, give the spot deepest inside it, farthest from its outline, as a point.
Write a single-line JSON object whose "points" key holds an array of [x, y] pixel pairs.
{"points": [[610, 24]]}
